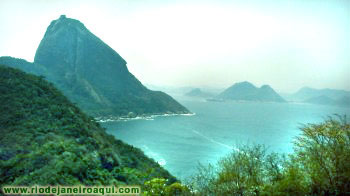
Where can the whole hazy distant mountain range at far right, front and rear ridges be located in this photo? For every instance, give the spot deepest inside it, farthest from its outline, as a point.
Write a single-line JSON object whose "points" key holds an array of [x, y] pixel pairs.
{"points": [[321, 96]]}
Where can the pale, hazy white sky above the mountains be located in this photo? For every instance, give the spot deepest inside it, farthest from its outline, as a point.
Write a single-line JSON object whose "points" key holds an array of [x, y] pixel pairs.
{"points": [[287, 44]]}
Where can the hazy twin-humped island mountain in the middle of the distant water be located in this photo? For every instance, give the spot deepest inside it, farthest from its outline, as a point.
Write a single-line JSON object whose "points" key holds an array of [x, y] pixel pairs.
{"points": [[248, 92]]}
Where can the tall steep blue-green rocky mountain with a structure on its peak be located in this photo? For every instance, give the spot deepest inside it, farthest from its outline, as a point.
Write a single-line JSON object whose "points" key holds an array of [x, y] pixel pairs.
{"points": [[92, 74]]}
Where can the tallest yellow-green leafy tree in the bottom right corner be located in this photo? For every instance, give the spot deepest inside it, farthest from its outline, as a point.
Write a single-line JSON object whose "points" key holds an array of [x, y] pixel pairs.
{"points": [[324, 150]]}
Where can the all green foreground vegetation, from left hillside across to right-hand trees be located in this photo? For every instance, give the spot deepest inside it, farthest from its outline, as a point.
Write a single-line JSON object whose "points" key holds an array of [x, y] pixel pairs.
{"points": [[45, 139]]}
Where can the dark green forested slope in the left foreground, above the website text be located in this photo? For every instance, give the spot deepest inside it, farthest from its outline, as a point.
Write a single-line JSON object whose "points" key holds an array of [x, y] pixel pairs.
{"points": [[45, 139]]}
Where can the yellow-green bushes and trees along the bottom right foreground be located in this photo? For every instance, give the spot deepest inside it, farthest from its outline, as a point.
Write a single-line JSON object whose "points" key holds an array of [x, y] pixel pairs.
{"points": [[319, 166]]}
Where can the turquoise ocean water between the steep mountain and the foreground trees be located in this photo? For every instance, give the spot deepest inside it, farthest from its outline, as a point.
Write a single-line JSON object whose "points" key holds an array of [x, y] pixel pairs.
{"points": [[180, 143]]}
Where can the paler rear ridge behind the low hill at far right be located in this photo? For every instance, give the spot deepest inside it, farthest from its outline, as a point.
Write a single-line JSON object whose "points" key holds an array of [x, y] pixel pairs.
{"points": [[306, 93]]}
